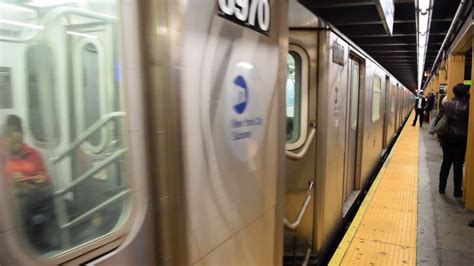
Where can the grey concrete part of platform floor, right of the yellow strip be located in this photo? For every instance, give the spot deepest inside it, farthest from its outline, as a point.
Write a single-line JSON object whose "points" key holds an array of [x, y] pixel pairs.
{"points": [[444, 237]]}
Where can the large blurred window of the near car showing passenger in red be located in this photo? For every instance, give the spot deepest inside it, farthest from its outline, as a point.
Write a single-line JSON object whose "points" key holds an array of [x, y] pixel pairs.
{"points": [[66, 200]]}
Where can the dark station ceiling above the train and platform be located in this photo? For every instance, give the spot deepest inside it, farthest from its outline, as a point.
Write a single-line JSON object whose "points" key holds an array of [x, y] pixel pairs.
{"points": [[361, 22]]}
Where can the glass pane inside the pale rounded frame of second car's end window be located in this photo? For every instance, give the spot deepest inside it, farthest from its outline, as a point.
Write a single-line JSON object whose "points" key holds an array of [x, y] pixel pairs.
{"points": [[293, 97]]}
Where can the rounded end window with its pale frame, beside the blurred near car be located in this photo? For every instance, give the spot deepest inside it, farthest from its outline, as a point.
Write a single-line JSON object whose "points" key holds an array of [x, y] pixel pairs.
{"points": [[296, 98]]}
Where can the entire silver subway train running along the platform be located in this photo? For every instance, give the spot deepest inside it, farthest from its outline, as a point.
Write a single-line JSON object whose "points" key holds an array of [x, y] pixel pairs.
{"points": [[183, 132]]}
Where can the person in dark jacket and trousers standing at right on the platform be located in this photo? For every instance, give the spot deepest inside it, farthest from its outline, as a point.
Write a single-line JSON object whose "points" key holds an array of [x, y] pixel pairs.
{"points": [[454, 141]]}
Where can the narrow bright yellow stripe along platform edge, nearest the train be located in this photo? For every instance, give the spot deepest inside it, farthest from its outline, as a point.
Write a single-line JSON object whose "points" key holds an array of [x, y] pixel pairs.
{"points": [[350, 233]]}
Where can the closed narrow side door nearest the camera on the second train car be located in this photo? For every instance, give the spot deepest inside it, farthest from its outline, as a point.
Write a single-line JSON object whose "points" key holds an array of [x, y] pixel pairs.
{"points": [[351, 138]]}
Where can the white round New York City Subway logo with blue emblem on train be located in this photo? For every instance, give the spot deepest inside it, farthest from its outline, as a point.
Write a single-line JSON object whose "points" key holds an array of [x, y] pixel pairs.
{"points": [[245, 119]]}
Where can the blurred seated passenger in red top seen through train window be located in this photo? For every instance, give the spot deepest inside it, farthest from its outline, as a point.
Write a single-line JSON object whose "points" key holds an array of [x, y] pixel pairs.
{"points": [[24, 170]]}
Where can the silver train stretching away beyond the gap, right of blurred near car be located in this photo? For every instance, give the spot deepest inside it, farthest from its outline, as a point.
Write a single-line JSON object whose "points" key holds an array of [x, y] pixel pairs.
{"points": [[345, 113]]}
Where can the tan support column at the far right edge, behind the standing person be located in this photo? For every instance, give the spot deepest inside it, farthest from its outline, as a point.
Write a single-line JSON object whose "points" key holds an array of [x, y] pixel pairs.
{"points": [[469, 174]]}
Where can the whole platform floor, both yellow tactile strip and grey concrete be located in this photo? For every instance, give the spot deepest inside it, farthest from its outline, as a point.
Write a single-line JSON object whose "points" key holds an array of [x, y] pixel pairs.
{"points": [[403, 220]]}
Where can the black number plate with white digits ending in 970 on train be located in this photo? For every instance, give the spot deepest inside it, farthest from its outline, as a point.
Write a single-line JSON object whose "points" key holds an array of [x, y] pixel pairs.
{"points": [[253, 14]]}
